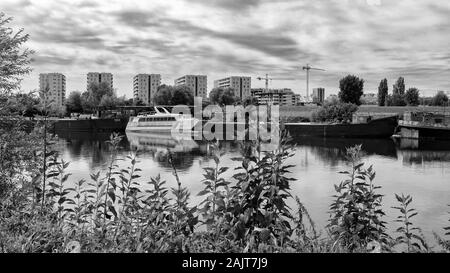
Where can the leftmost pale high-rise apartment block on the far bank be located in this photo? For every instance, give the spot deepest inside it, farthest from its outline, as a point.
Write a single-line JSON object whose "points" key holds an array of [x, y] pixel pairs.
{"points": [[53, 88]]}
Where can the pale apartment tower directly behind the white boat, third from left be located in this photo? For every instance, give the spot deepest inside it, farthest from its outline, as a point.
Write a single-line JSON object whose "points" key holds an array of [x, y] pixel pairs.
{"points": [[145, 87]]}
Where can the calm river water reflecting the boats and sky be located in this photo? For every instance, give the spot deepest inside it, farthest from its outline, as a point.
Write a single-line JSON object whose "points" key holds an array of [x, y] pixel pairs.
{"points": [[420, 169]]}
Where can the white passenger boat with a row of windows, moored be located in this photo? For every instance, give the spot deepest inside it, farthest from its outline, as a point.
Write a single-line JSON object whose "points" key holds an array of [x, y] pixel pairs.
{"points": [[161, 120]]}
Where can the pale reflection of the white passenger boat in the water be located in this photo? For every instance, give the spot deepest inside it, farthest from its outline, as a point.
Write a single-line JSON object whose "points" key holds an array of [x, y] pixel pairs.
{"points": [[145, 141]]}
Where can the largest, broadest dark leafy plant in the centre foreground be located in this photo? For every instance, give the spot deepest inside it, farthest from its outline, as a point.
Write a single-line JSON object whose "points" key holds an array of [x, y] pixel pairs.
{"points": [[261, 215]]}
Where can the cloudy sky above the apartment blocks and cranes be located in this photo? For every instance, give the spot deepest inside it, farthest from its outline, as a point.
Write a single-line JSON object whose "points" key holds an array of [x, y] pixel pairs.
{"points": [[373, 39]]}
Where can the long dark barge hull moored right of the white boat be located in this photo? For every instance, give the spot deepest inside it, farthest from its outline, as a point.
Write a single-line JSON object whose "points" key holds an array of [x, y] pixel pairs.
{"points": [[377, 128]]}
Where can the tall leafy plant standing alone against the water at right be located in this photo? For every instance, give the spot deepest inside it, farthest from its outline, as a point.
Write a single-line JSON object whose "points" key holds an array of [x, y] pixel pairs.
{"points": [[356, 214]]}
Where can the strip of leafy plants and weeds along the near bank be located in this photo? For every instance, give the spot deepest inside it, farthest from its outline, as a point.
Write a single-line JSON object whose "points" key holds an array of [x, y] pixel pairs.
{"points": [[116, 211]]}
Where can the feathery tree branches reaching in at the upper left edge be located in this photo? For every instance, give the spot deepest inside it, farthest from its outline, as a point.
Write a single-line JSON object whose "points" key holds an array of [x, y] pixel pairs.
{"points": [[14, 60]]}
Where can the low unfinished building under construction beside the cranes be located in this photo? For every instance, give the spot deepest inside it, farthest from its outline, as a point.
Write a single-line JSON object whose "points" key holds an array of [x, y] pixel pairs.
{"points": [[281, 97]]}
